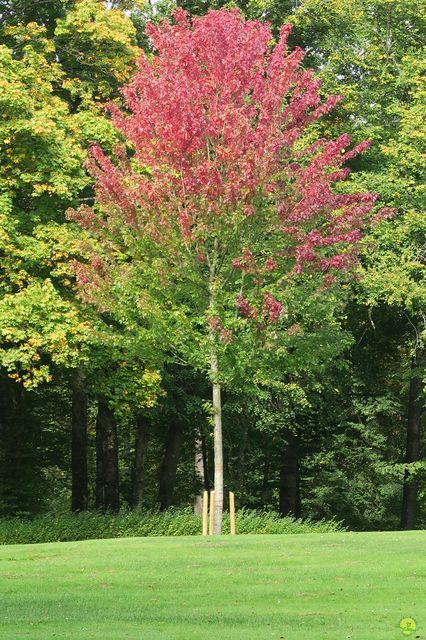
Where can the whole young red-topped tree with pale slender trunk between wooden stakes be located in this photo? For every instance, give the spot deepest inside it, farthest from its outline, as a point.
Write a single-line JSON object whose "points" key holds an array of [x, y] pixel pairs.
{"points": [[219, 202]]}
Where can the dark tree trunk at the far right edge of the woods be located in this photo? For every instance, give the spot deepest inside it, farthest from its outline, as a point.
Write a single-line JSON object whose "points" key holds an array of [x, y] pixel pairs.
{"points": [[412, 454]]}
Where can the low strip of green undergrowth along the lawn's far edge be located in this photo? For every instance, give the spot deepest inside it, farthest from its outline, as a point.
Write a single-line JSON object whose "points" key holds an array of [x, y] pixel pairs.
{"points": [[127, 524]]}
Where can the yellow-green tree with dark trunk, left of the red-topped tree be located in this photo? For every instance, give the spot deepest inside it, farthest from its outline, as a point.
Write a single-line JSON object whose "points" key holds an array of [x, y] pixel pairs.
{"points": [[45, 332]]}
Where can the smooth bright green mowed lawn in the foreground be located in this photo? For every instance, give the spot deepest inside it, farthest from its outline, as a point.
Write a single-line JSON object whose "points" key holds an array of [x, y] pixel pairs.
{"points": [[315, 587]]}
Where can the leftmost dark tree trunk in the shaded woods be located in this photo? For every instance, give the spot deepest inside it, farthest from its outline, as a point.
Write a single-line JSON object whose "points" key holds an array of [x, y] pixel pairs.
{"points": [[79, 443]]}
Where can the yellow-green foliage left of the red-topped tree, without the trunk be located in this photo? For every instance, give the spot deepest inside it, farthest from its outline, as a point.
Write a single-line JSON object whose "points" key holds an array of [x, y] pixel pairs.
{"points": [[42, 326]]}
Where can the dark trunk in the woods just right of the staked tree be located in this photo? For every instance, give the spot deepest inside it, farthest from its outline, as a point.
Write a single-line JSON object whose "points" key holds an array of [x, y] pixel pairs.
{"points": [[289, 478]]}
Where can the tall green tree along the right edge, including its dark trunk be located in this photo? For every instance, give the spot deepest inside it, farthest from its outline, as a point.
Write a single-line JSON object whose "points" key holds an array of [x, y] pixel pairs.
{"points": [[373, 52]]}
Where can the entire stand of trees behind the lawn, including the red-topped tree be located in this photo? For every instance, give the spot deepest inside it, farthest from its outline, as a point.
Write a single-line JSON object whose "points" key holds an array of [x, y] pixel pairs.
{"points": [[132, 325]]}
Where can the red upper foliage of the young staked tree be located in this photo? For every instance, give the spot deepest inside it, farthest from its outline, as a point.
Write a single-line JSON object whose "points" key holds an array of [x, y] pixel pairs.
{"points": [[214, 118]]}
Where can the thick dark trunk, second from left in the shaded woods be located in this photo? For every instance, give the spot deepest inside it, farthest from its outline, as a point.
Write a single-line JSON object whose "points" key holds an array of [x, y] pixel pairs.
{"points": [[107, 478]]}
